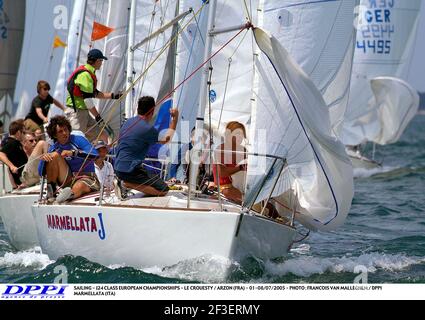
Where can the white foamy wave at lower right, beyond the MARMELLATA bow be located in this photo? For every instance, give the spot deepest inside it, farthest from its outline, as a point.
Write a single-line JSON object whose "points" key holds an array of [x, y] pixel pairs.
{"points": [[372, 262]]}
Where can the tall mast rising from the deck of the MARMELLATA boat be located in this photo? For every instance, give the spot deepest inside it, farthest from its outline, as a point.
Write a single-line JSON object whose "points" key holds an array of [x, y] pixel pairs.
{"points": [[204, 94]]}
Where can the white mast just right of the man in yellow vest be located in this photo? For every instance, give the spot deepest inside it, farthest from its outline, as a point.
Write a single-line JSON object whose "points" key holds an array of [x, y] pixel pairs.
{"points": [[130, 59]]}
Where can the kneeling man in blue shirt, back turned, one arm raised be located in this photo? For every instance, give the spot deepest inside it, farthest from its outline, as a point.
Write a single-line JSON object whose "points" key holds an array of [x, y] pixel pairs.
{"points": [[137, 135]]}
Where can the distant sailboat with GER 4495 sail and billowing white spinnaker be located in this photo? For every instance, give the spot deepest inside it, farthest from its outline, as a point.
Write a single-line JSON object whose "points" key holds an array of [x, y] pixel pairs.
{"points": [[381, 102]]}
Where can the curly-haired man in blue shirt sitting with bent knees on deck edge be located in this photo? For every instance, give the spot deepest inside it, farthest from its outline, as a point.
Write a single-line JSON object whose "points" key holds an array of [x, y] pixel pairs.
{"points": [[69, 162]]}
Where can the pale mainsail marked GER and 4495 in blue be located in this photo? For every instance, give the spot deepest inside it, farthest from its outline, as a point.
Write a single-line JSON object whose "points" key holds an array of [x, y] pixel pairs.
{"points": [[385, 40]]}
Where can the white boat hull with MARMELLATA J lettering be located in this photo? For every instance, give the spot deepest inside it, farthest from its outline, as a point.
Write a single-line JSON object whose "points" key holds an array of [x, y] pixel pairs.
{"points": [[147, 237]]}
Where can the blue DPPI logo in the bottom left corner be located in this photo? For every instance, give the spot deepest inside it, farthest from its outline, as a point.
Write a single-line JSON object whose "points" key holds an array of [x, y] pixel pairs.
{"points": [[34, 291]]}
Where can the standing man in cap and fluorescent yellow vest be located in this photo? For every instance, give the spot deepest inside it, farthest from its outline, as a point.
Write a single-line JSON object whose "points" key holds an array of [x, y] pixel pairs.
{"points": [[82, 89]]}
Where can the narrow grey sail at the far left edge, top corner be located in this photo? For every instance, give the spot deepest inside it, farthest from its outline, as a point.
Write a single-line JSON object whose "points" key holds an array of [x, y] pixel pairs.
{"points": [[12, 23]]}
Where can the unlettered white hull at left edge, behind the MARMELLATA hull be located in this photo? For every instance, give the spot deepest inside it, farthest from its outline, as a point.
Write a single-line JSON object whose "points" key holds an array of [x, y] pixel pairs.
{"points": [[15, 212]]}
